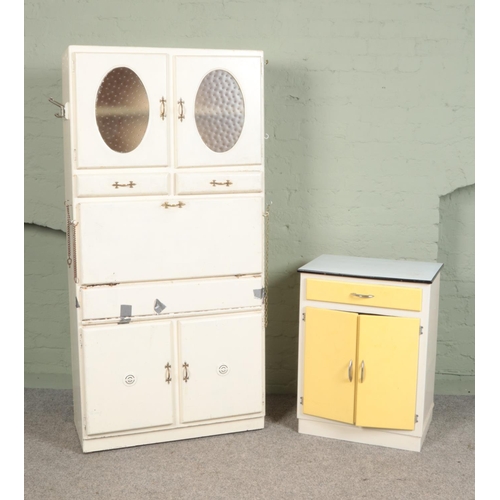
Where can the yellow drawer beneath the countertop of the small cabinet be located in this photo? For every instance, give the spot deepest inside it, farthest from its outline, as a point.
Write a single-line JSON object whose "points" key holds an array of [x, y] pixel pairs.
{"points": [[391, 297]]}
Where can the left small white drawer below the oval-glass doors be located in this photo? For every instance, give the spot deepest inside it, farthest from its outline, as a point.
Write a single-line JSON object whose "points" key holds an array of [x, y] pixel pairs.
{"points": [[120, 184]]}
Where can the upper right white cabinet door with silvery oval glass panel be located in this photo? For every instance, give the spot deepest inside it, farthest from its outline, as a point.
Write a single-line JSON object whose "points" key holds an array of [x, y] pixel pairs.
{"points": [[218, 107]]}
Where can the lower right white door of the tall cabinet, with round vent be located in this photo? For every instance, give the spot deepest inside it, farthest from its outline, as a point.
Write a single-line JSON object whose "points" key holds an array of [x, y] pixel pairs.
{"points": [[221, 366]]}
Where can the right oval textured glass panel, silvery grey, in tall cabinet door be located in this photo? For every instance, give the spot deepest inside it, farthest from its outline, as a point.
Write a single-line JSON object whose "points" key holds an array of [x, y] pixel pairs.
{"points": [[219, 111]]}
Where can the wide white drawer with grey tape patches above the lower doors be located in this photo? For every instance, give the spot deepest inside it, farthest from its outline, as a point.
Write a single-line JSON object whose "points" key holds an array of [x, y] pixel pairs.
{"points": [[140, 299]]}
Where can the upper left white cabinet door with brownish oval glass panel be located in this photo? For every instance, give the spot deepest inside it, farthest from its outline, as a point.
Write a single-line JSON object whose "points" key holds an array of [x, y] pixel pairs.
{"points": [[121, 110]]}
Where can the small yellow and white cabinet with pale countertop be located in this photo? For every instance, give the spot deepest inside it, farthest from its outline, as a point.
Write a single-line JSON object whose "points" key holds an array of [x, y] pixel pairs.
{"points": [[367, 350]]}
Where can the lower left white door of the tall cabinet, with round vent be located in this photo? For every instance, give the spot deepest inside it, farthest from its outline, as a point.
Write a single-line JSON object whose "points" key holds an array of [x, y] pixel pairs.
{"points": [[128, 376]]}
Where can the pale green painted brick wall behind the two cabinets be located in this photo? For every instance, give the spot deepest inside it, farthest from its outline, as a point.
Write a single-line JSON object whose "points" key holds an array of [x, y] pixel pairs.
{"points": [[370, 113]]}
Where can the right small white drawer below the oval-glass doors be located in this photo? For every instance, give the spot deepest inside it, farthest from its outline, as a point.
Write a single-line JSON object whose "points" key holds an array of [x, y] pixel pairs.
{"points": [[220, 182]]}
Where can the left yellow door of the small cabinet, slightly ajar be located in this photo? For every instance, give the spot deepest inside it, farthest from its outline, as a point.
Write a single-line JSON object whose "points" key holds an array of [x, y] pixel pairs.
{"points": [[329, 364]]}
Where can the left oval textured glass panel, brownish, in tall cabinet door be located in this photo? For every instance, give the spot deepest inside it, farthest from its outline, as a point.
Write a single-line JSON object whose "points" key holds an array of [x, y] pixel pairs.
{"points": [[122, 110]]}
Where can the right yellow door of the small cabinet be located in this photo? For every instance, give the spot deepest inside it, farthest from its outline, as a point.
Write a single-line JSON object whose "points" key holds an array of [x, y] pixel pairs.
{"points": [[387, 372]]}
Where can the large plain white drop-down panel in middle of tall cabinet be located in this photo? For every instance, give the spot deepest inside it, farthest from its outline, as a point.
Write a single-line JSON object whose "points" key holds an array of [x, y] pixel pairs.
{"points": [[126, 241]]}
